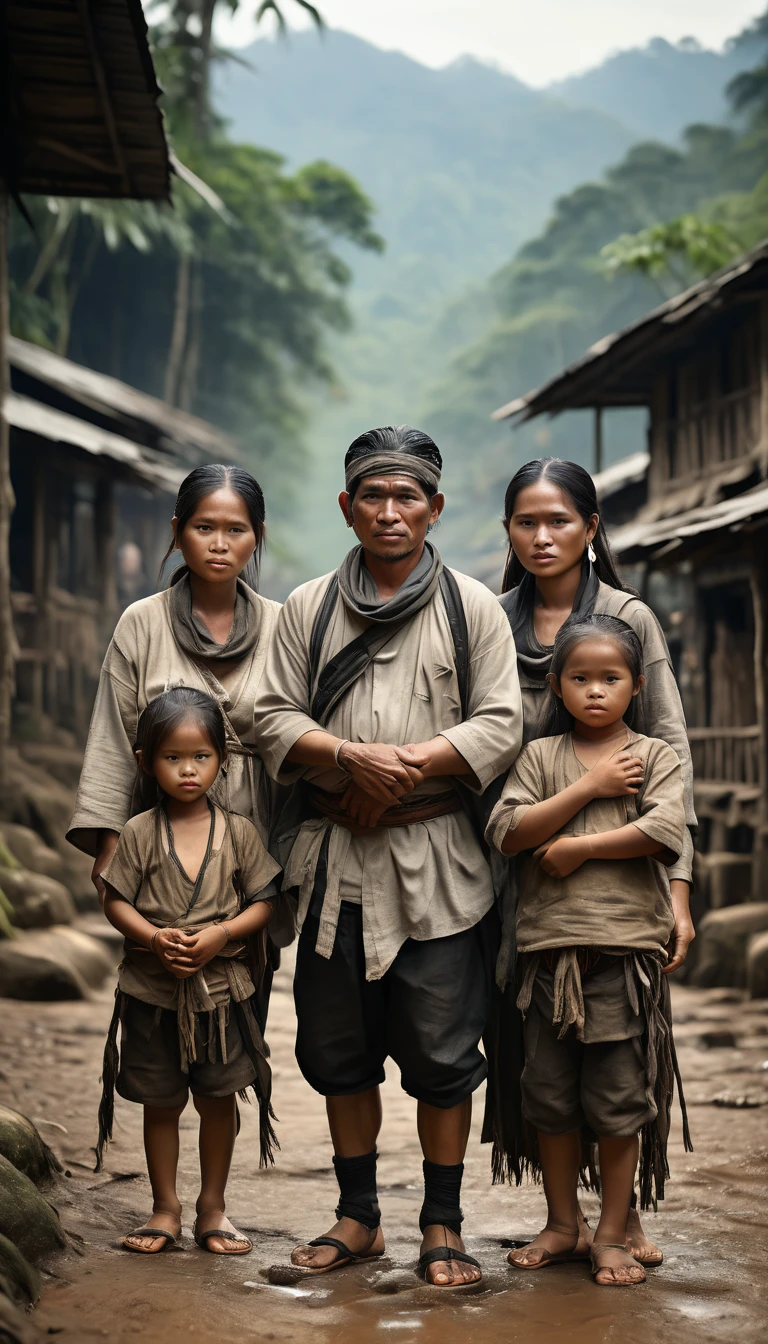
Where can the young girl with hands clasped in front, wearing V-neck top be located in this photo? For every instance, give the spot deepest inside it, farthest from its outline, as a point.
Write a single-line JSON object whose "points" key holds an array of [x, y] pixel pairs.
{"points": [[190, 886]]}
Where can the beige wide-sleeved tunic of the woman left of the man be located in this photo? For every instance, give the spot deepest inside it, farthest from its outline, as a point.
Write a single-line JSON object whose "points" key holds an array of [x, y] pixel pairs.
{"points": [[142, 662]]}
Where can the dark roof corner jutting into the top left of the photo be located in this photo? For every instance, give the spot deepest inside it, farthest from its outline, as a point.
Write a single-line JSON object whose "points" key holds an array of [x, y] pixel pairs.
{"points": [[79, 101]]}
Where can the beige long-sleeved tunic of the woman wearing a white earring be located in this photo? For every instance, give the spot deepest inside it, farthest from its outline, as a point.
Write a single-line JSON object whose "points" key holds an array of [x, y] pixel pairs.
{"points": [[660, 712]]}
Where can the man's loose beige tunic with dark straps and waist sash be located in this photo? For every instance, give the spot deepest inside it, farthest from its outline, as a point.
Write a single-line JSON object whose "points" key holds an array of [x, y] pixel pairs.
{"points": [[428, 880]]}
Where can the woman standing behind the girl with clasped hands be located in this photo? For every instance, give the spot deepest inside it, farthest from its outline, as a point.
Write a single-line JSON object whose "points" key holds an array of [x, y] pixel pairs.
{"points": [[210, 631]]}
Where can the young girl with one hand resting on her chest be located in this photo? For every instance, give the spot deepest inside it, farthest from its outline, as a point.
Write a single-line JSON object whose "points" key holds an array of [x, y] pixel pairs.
{"points": [[595, 815]]}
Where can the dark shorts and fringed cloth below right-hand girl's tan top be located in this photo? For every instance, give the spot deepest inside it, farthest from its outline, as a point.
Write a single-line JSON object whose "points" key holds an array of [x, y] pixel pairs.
{"points": [[594, 1030]]}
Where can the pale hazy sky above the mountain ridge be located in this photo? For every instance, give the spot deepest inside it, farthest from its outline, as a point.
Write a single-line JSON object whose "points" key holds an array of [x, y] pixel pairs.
{"points": [[539, 41]]}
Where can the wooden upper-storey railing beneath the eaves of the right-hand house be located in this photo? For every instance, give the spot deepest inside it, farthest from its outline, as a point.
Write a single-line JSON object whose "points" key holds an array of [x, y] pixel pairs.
{"points": [[715, 436]]}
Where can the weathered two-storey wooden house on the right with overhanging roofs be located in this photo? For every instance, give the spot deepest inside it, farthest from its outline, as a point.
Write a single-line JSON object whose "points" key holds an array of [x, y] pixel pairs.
{"points": [[700, 366]]}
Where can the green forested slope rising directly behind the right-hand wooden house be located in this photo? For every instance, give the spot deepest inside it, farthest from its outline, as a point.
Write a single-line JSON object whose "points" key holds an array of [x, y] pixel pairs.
{"points": [[558, 296]]}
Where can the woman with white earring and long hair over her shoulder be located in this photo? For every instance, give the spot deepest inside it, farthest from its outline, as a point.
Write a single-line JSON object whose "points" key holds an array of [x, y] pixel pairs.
{"points": [[560, 565]]}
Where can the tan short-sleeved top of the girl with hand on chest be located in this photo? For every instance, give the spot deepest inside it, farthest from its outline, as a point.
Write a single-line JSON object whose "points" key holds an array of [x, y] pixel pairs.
{"points": [[607, 902]]}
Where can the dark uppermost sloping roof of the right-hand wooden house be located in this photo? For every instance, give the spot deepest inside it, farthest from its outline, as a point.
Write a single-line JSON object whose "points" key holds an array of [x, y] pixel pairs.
{"points": [[619, 370]]}
